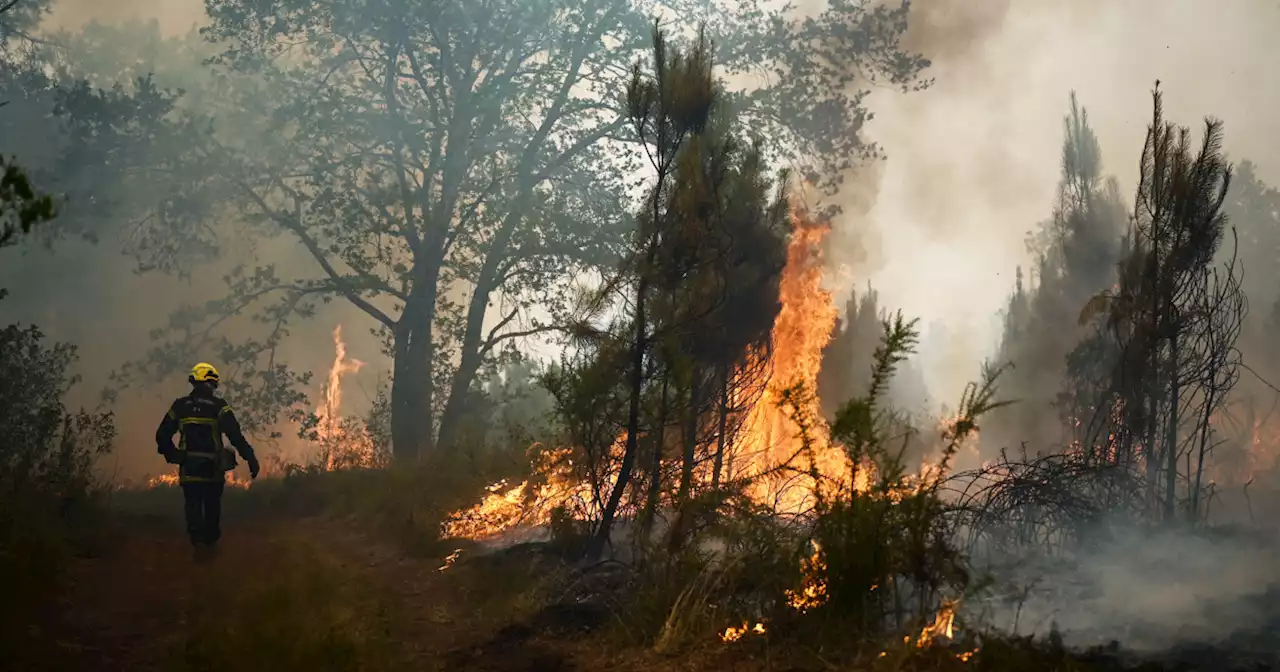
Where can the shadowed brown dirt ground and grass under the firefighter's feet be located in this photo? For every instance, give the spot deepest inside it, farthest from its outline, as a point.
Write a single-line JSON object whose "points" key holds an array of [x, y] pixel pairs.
{"points": [[284, 593]]}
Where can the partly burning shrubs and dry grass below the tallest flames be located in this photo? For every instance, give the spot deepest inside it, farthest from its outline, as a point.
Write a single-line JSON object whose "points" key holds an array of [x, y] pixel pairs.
{"points": [[868, 566]]}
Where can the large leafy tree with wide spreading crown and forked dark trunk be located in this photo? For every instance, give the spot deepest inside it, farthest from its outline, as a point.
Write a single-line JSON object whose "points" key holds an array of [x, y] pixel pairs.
{"points": [[449, 166]]}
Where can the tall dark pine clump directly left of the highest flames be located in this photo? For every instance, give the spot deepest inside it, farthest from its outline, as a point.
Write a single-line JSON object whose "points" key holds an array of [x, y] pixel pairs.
{"points": [[703, 275]]}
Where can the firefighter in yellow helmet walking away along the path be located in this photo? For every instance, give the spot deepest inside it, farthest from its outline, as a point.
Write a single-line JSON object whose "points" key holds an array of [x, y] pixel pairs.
{"points": [[200, 420]]}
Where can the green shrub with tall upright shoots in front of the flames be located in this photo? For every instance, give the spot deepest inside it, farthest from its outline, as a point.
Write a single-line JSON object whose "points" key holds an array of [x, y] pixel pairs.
{"points": [[886, 552]]}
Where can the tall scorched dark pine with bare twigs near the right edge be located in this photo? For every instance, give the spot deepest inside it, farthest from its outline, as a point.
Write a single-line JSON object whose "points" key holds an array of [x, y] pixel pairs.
{"points": [[1173, 322]]}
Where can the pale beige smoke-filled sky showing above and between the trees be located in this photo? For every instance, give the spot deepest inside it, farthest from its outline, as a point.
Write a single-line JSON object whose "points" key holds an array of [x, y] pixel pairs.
{"points": [[973, 162]]}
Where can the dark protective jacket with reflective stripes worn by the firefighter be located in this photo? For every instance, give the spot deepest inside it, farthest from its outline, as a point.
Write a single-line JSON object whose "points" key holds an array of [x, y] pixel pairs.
{"points": [[200, 420]]}
